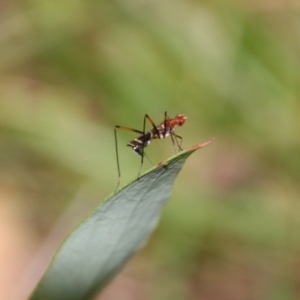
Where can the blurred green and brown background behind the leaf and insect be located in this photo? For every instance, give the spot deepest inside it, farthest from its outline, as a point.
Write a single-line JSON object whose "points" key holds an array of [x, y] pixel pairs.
{"points": [[71, 70]]}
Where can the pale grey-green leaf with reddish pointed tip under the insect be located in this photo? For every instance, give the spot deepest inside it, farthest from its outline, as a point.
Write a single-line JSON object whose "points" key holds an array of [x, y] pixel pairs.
{"points": [[96, 250]]}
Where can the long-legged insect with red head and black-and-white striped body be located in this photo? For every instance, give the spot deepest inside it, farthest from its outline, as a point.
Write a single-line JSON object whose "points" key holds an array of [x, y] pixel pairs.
{"points": [[163, 130]]}
